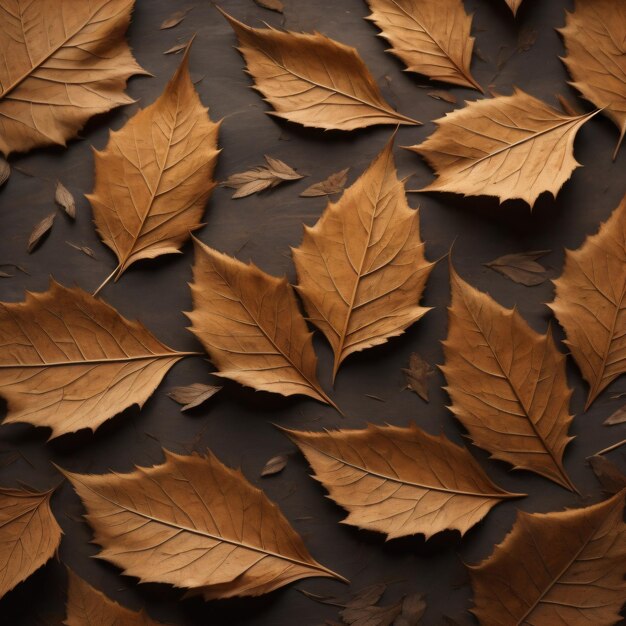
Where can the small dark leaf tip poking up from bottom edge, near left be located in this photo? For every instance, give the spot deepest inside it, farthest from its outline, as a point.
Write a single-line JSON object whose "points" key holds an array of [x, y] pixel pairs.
{"points": [[87, 606]]}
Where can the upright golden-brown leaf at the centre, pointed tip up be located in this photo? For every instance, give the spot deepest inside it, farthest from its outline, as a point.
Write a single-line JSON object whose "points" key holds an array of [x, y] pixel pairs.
{"points": [[361, 268]]}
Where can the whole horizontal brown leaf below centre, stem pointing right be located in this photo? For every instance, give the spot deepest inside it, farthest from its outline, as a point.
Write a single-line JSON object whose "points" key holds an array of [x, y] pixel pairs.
{"points": [[400, 481]]}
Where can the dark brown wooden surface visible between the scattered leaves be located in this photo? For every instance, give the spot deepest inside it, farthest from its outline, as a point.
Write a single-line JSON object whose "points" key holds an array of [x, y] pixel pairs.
{"points": [[236, 424]]}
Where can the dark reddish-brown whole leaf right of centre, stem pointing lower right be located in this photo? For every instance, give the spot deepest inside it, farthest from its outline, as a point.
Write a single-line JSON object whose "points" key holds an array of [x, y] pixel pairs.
{"points": [[507, 383]]}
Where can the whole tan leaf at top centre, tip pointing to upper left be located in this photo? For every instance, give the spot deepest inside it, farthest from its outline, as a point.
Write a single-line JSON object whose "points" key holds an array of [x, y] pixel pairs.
{"points": [[313, 80]]}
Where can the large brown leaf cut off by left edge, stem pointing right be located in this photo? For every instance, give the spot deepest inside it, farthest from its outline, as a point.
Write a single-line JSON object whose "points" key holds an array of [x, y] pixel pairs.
{"points": [[69, 361]]}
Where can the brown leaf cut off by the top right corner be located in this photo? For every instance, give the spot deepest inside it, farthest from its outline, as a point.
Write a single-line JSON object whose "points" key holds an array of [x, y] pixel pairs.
{"points": [[594, 39]]}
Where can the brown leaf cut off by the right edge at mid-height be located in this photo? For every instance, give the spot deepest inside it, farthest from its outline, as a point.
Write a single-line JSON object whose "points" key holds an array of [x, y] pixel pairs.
{"points": [[589, 303]]}
